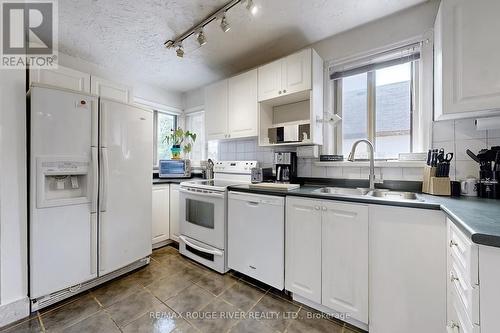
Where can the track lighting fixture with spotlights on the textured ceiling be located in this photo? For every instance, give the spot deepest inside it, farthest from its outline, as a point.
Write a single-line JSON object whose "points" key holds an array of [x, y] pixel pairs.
{"points": [[198, 29]]}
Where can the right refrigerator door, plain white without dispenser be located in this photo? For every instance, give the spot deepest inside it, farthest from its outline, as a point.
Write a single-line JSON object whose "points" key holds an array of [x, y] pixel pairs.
{"points": [[126, 157]]}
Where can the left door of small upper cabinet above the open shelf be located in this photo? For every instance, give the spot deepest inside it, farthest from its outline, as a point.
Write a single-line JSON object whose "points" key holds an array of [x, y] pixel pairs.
{"points": [[270, 80]]}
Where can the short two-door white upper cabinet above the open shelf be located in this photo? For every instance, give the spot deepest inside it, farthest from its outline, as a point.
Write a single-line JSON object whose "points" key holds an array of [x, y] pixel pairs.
{"points": [[286, 76]]}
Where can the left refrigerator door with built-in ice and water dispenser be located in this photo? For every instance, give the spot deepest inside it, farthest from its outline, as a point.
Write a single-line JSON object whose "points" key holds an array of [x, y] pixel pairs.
{"points": [[62, 235]]}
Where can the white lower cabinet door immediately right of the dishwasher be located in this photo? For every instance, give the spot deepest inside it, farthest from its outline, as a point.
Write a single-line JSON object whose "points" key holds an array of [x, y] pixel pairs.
{"points": [[303, 248]]}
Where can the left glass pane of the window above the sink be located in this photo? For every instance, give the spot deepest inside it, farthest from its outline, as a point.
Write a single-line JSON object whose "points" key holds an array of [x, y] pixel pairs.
{"points": [[354, 111]]}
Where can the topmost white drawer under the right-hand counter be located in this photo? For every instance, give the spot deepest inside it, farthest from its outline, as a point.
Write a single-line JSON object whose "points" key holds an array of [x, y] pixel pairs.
{"points": [[463, 253]]}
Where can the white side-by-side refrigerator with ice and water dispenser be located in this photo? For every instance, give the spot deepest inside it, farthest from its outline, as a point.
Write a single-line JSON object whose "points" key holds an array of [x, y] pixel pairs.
{"points": [[90, 163]]}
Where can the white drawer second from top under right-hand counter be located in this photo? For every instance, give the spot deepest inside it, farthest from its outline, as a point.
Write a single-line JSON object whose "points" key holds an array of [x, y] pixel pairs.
{"points": [[467, 294]]}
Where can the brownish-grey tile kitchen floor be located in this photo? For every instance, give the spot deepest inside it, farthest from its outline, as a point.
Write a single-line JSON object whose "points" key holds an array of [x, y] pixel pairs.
{"points": [[174, 294]]}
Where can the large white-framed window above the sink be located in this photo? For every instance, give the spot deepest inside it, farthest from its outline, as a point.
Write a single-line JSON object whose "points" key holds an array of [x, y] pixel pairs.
{"points": [[376, 102]]}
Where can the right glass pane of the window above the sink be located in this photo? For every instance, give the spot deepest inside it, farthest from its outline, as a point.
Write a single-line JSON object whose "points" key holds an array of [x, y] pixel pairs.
{"points": [[393, 110]]}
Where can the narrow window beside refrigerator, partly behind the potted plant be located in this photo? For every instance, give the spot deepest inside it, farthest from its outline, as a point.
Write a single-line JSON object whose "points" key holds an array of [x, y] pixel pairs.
{"points": [[164, 123]]}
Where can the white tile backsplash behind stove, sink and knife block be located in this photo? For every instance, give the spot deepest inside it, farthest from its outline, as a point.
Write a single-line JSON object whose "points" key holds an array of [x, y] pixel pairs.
{"points": [[453, 135]]}
